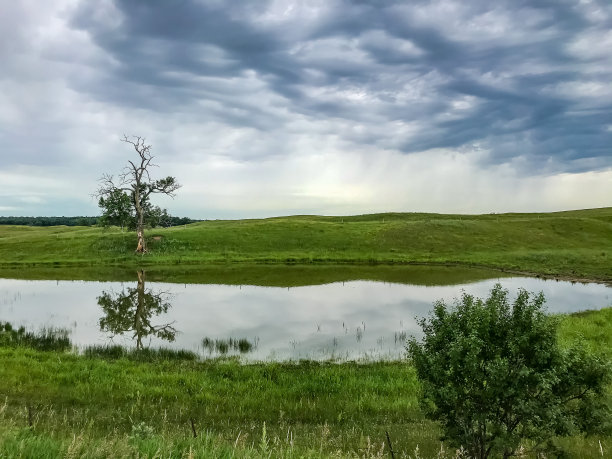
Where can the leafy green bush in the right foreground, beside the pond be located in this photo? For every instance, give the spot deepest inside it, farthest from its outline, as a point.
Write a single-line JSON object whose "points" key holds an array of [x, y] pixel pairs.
{"points": [[495, 377]]}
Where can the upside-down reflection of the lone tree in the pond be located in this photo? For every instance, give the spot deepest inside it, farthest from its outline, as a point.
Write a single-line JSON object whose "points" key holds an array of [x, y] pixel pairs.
{"points": [[133, 309]]}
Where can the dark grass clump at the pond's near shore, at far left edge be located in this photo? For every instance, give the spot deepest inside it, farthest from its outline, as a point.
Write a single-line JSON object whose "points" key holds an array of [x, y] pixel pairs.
{"points": [[46, 339]]}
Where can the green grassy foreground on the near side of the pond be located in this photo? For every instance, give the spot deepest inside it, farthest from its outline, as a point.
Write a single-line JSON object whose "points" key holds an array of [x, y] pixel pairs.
{"points": [[59, 404]]}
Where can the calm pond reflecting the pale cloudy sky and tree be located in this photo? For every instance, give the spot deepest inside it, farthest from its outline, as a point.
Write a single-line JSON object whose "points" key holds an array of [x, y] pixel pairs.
{"points": [[348, 319]]}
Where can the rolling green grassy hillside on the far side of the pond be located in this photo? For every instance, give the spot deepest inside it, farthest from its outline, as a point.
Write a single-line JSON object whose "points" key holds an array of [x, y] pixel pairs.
{"points": [[573, 244]]}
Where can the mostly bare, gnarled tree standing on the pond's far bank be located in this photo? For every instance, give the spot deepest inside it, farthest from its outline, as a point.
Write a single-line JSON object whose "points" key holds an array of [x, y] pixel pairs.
{"points": [[136, 182]]}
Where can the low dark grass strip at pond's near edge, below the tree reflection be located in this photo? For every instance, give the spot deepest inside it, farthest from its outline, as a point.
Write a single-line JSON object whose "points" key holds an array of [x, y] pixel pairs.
{"points": [[114, 352]]}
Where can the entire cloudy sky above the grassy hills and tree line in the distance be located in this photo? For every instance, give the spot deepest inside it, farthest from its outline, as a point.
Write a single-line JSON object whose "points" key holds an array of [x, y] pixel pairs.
{"points": [[267, 108]]}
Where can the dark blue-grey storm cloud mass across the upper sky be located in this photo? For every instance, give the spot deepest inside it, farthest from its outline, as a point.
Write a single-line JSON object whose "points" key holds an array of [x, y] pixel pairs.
{"points": [[520, 78]]}
